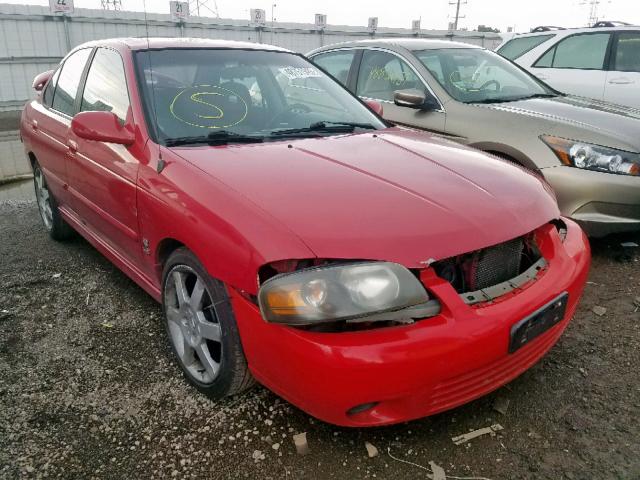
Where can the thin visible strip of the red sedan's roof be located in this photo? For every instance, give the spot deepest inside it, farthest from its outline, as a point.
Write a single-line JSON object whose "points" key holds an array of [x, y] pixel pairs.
{"points": [[144, 43]]}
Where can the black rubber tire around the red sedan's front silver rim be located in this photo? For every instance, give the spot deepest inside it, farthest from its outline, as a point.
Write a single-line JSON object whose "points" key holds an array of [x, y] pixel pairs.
{"points": [[234, 377]]}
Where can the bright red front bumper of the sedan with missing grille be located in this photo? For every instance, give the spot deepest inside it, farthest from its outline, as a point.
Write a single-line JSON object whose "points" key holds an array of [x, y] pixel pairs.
{"points": [[429, 364]]}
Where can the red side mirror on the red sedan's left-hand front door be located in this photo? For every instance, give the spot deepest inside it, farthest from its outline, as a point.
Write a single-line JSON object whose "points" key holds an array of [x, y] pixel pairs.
{"points": [[101, 127]]}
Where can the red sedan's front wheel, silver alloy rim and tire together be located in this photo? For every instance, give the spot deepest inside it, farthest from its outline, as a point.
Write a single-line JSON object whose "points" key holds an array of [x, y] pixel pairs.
{"points": [[202, 329]]}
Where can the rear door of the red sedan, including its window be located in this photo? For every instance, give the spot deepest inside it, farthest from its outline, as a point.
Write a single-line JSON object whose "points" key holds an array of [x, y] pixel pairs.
{"points": [[50, 122]]}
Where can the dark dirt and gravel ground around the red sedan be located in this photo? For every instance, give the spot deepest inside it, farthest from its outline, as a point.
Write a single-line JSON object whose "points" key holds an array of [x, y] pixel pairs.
{"points": [[88, 388]]}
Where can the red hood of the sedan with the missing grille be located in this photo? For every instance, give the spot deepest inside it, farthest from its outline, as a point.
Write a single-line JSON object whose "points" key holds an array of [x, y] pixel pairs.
{"points": [[398, 195]]}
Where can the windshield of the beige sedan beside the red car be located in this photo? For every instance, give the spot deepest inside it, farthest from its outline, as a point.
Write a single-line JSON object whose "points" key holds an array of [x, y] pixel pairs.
{"points": [[475, 75]]}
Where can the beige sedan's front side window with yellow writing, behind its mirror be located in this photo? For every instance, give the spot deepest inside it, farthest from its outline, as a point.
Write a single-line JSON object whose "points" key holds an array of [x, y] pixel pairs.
{"points": [[383, 73]]}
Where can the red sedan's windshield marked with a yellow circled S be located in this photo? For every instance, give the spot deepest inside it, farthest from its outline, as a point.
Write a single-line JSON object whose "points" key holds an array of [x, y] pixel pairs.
{"points": [[242, 95]]}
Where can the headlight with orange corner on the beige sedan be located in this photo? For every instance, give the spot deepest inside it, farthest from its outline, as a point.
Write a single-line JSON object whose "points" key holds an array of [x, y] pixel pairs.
{"points": [[593, 157]]}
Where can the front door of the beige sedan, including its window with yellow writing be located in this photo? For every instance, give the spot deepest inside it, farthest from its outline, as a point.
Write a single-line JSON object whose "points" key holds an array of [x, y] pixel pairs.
{"points": [[381, 73]]}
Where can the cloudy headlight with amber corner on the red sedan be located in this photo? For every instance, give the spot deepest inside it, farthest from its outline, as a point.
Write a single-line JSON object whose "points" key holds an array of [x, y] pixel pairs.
{"points": [[367, 291]]}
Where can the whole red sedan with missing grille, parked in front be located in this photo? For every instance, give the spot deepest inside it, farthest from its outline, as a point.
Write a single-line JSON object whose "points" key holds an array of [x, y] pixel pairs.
{"points": [[368, 274]]}
